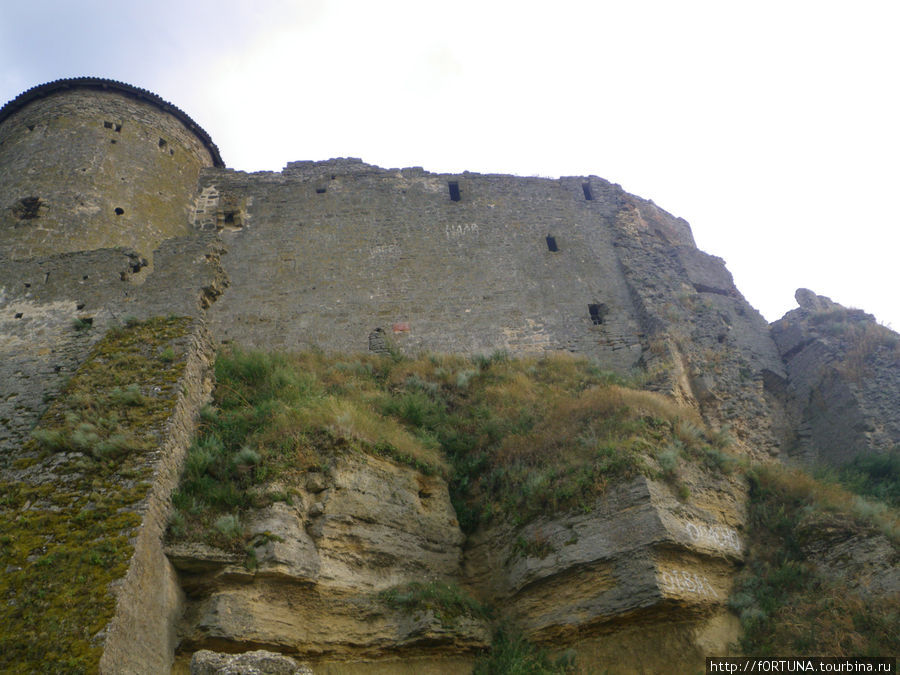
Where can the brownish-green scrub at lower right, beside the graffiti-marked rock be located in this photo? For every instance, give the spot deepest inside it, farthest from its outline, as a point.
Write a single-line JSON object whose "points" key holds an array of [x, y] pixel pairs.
{"points": [[786, 605]]}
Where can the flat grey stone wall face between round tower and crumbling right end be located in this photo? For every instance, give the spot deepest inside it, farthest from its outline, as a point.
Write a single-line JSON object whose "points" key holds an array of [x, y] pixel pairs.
{"points": [[325, 253]]}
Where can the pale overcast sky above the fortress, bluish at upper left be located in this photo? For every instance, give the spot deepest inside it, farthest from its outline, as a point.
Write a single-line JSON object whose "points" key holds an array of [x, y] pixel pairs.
{"points": [[773, 127]]}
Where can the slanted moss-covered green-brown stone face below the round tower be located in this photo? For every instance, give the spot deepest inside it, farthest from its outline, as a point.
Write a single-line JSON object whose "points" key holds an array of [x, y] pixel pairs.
{"points": [[69, 509]]}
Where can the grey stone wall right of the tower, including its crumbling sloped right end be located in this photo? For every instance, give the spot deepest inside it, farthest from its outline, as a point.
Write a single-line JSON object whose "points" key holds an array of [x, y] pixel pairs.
{"points": [[342, 255]]}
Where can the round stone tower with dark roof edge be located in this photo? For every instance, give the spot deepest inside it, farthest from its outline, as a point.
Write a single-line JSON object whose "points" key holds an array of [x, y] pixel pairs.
{"points": [[89, 163]]}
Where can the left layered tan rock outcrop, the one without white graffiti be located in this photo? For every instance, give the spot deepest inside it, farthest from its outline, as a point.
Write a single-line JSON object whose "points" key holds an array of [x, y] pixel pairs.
{"points": [[319, 564]]}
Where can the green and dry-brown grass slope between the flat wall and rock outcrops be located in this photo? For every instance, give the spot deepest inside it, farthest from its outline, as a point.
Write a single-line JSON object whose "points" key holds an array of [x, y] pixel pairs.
{"points": [[513, 437]]}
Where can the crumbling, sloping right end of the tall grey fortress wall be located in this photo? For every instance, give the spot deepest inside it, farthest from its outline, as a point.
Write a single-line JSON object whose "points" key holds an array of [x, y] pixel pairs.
{"points": [[706, 344]]}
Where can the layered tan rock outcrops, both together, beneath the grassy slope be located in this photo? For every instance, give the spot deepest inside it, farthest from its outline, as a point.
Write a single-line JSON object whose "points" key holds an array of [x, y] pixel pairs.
{"points": [[638, 557]]}
